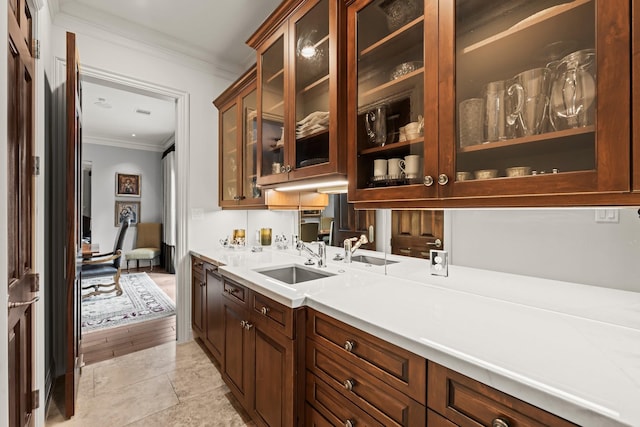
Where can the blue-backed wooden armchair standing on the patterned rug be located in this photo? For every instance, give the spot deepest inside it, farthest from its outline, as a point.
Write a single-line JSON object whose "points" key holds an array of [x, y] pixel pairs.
{"points": [[105, 264]]}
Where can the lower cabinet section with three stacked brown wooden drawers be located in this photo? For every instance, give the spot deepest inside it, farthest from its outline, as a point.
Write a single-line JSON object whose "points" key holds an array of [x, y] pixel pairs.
{"points": [[358, 378]]}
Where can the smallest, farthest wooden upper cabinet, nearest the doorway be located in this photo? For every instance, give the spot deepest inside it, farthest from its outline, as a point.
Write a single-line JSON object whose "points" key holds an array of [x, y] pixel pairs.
{"points": [[238, 133]]}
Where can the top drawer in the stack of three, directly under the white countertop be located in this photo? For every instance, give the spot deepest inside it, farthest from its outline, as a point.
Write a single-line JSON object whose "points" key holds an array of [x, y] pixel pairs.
{"points": [[399, 368]]}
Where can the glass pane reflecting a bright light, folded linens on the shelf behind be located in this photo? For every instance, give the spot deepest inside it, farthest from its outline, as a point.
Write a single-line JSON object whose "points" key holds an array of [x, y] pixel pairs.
{"points": [[312, 86]]}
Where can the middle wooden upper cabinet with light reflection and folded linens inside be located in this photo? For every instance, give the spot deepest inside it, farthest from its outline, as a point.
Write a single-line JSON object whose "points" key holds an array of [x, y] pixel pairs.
{"points": [[300, 50]]}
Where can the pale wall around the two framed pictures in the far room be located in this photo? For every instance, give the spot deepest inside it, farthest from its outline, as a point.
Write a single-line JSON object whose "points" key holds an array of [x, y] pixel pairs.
{"points": [[106, 161]]}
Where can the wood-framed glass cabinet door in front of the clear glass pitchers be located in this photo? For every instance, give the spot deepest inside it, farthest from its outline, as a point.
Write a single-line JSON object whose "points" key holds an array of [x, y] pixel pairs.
{"points": [[541, 97]]}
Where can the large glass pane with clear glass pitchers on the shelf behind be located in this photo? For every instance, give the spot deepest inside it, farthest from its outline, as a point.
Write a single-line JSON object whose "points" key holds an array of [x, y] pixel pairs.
{"points": [[526, 95]]}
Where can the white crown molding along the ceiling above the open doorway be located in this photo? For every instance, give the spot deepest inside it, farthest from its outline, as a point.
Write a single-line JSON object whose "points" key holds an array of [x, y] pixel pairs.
{"points": [[142, 42]]}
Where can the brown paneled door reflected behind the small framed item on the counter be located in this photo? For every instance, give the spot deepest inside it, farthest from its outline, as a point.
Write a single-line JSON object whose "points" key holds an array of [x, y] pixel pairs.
{"points": [[415, 232]]}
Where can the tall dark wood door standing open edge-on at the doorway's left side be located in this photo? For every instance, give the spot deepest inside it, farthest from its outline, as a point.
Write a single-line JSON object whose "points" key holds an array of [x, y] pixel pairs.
{"points": [[73, 159]]}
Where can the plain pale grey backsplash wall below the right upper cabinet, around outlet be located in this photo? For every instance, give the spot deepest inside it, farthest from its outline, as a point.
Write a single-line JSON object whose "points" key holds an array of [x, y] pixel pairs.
{"points": [[561, 244]]}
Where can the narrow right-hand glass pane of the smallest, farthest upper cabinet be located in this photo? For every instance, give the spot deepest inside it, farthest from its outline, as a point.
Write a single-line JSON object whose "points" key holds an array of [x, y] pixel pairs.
{"points": [[250, 138]]}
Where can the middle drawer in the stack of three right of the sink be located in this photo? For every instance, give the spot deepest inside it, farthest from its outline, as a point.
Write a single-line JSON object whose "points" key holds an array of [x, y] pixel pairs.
{"points": [[380, 400]]}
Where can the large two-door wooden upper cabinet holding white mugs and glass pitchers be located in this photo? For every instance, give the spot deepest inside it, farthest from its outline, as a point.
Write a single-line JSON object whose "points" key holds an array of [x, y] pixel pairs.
{"points": [[523, 99]]}
